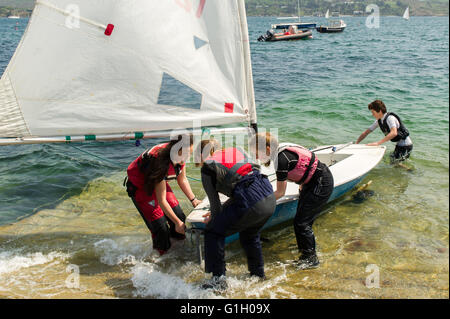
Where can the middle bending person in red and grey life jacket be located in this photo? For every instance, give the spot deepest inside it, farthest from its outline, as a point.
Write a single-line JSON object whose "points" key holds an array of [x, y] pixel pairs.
{"points": [[251, 203]]}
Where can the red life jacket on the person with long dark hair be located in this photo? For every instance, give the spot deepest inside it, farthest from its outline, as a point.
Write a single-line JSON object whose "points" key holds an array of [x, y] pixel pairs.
{"points": [[134, 169]]}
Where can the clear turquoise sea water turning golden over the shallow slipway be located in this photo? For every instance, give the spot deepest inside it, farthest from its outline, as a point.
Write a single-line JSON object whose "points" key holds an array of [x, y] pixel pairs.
{"points": [[60, 206]]}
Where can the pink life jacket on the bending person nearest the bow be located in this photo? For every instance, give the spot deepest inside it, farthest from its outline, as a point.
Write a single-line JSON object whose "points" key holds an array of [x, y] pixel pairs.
{"points": [[306, 164]]}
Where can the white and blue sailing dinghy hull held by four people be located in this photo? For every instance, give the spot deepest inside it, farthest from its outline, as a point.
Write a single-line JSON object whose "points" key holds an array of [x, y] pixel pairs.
{"points": [[349, 164]]}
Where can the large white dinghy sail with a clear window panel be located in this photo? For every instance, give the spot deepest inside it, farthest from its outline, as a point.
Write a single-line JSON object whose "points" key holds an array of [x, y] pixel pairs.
{"points": [[91, 67]]}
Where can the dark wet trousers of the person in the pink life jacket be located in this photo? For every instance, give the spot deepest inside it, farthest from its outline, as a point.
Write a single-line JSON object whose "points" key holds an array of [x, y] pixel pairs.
{"points": [[313, 197]]}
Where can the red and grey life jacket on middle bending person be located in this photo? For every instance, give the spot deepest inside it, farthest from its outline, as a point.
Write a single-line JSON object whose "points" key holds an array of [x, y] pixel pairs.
{"points": [[229, 166]]}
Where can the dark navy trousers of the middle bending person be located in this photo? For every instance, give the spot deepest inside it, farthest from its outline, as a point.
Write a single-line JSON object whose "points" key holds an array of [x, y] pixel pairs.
{"points": [[235, 216]]}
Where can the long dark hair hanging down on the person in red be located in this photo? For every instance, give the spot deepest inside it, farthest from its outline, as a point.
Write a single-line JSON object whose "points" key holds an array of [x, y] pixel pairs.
{"points": [[155, 168]]}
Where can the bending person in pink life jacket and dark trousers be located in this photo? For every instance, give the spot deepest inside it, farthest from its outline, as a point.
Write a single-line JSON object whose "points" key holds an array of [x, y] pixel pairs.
{"points": [[294, 163]]}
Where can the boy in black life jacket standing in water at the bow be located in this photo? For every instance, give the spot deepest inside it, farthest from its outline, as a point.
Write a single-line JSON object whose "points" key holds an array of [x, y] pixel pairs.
{"points": [[392, 127]]}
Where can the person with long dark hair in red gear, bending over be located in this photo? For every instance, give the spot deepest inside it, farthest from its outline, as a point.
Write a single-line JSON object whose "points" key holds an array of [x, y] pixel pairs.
{"points": [[148, 187]]}
